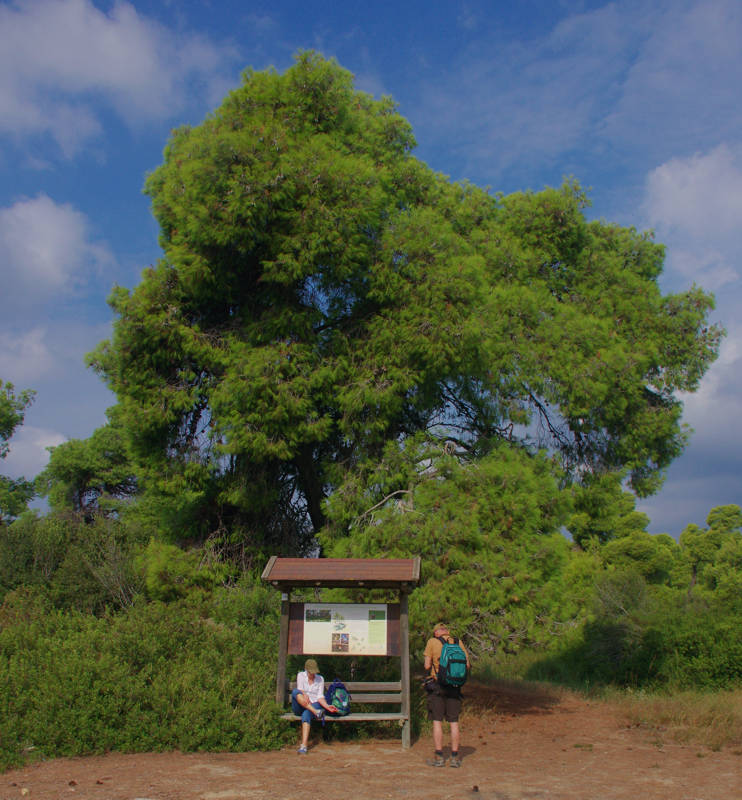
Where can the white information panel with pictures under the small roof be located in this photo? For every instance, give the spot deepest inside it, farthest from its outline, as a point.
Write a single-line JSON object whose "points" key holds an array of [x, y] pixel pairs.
{"points": [[345, 629]]}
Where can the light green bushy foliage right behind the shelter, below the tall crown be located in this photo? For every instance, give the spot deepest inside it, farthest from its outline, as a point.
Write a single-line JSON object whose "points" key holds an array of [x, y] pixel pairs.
{"points": [[487, 533]]}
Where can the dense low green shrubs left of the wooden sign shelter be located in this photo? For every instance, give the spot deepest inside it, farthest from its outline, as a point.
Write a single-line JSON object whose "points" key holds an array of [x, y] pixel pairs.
{"points": [[190, 675]]}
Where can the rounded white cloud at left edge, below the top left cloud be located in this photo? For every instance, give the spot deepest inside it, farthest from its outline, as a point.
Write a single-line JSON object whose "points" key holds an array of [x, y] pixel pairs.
{"points": [[45, 249]]}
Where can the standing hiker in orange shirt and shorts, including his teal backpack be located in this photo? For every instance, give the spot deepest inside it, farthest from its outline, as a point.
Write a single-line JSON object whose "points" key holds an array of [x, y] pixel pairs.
{"points": [[447, 665]]}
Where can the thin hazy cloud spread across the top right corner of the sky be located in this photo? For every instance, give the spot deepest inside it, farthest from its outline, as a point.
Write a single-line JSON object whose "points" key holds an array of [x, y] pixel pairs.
{"points": [[621, 87]]}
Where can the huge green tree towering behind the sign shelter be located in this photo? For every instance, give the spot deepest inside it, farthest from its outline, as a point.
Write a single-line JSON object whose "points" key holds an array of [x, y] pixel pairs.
{"points": [[323, 293]]}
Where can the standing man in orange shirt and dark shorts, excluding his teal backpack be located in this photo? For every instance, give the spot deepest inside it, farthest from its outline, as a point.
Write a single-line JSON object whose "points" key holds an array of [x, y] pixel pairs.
{"points": [[443, 701]]}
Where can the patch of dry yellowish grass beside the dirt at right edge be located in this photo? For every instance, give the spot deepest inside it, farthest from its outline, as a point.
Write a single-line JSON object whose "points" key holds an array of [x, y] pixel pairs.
{"points": [[705, 718]]}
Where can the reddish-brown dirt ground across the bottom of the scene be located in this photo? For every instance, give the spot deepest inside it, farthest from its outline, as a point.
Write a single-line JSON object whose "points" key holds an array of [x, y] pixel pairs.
{"points": [[518, 745]]}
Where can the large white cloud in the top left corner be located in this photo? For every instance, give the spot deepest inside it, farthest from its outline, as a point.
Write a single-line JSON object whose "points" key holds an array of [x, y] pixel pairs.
{"points": [[58, 56]]}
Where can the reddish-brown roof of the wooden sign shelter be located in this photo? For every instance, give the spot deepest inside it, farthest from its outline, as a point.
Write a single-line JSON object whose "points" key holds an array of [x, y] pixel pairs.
{"points": [[374, 573]]}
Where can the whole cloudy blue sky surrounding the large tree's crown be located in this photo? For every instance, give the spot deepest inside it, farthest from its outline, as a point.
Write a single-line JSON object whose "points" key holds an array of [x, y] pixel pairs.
{"points": [[640, 101]]}
